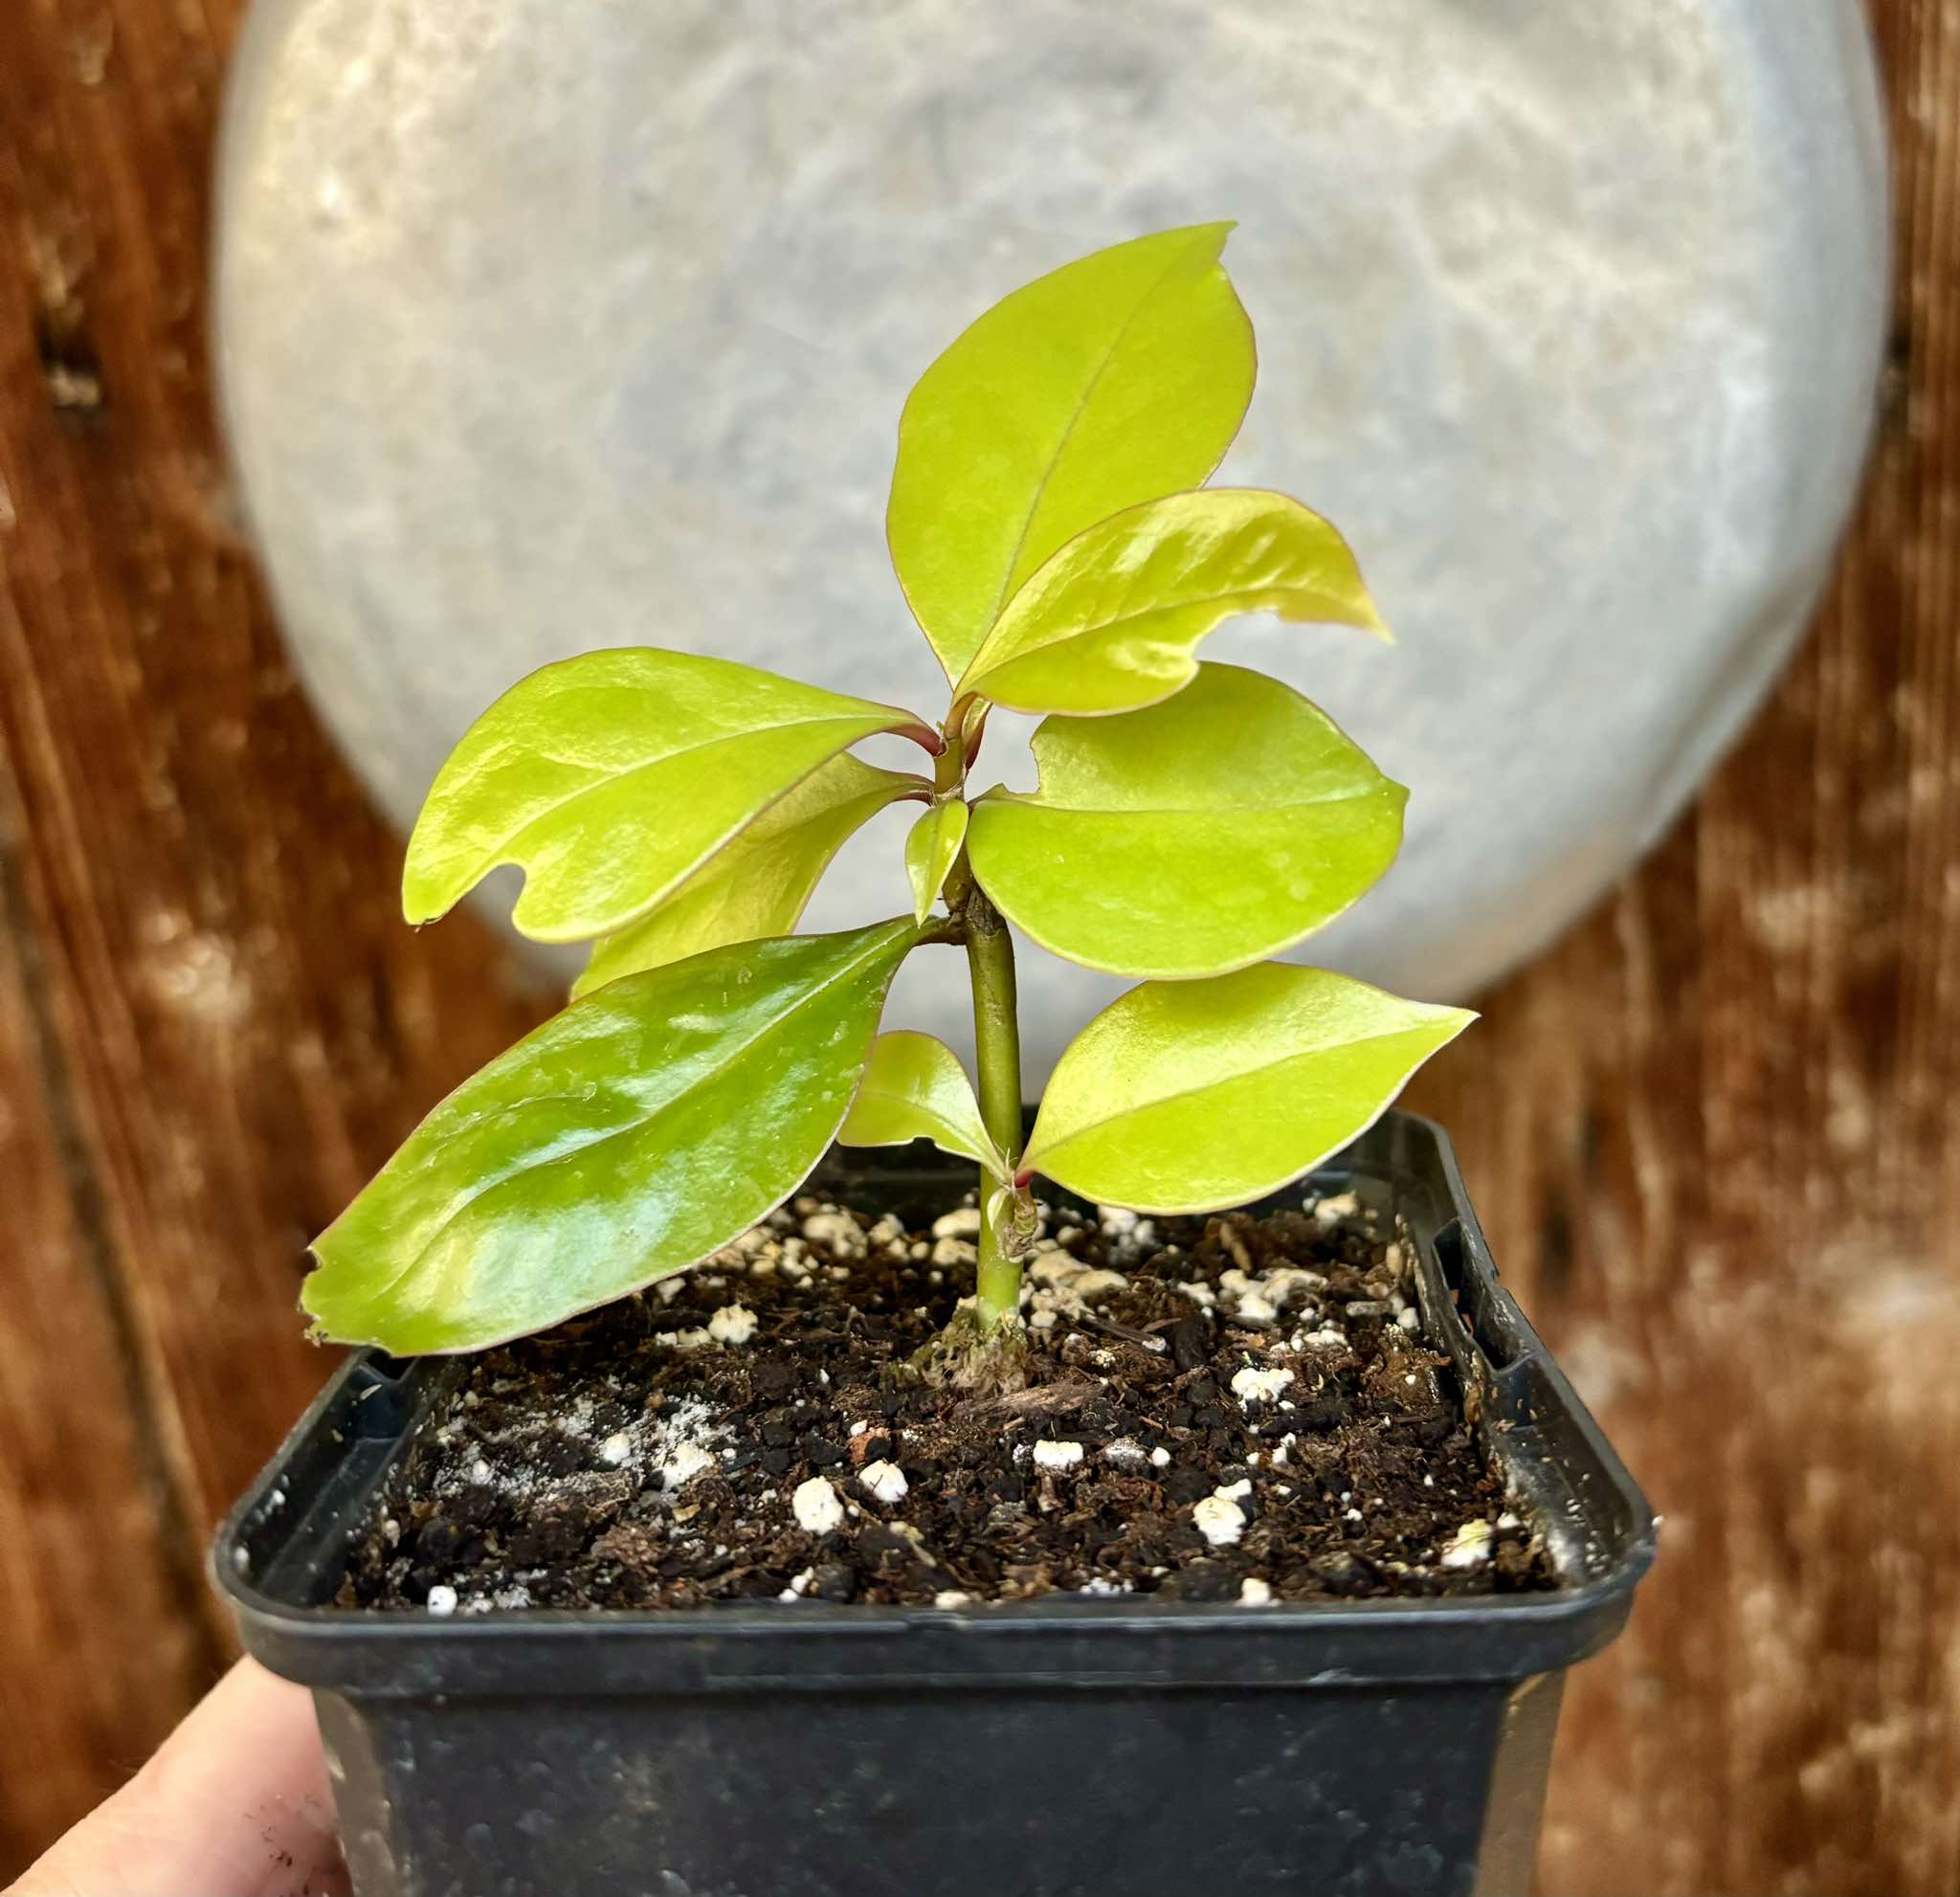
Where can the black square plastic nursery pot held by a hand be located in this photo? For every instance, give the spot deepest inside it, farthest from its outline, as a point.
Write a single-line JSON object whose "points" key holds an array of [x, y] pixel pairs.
{"points": [[1044, 1749]]}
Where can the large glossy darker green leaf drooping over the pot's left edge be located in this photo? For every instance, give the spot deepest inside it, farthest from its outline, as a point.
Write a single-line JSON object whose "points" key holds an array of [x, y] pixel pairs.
{"points": [[626, 1140]]}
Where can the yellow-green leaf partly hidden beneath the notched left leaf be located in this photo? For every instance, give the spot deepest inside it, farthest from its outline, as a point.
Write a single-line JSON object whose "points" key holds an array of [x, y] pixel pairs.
{"points": [[759, 883]]}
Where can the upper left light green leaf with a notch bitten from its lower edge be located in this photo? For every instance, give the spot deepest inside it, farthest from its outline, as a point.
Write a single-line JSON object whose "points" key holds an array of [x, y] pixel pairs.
{"points": [[609, 779]]}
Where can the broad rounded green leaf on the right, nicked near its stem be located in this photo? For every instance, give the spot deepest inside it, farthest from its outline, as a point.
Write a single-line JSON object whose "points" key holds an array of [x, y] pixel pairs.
{"points": [[1191, 838]]}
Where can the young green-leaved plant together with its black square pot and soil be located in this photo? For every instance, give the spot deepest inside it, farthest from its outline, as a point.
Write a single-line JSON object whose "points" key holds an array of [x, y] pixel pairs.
{"points": [[1140, 1494]]}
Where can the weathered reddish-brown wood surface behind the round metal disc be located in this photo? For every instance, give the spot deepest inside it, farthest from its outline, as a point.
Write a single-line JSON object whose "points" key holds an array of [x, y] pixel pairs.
{"points": [[1710, 1132]]}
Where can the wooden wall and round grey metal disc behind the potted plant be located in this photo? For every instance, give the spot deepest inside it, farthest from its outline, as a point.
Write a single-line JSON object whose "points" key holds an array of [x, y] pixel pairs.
{"points": [[558, 324]]}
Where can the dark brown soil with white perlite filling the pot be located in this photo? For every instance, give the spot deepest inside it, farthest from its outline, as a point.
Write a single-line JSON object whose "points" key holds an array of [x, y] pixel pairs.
{"points": [[652, 1455]]}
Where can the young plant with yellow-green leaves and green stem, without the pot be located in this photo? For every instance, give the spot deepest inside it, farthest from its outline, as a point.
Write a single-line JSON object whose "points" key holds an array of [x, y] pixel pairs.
{"points": [[1063, 558]]}
